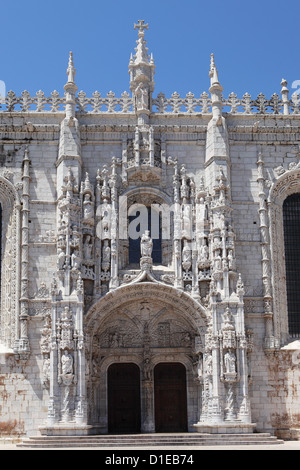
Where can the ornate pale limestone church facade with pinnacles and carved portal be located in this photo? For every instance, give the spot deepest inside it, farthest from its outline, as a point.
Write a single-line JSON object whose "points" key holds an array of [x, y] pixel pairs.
{"points": [[209, 295]]}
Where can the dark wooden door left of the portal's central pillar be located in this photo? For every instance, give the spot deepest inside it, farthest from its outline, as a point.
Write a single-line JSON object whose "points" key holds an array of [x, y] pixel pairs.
{"points": [[124, 398]]}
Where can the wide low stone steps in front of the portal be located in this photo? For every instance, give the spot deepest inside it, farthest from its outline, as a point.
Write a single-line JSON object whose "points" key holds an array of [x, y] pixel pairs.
{"points": [[150, 440]]}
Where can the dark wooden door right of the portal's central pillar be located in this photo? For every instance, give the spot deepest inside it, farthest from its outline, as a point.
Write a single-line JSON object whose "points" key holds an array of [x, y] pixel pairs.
{"points": [[170, 390]]}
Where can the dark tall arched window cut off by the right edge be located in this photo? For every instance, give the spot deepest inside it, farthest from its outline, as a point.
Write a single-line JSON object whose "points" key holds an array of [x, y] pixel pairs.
{"points": [[291, 223]]}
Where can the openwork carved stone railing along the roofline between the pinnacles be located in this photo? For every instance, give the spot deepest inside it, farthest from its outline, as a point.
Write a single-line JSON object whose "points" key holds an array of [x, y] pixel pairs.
{"points": [[110, 104]]}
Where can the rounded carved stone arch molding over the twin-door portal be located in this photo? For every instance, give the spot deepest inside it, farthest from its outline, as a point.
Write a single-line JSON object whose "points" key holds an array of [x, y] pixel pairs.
{"points": [[144, 295]]}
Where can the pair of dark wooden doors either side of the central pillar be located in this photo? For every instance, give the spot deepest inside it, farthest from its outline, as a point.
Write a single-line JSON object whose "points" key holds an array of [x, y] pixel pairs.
{"points": [[124, 398]]}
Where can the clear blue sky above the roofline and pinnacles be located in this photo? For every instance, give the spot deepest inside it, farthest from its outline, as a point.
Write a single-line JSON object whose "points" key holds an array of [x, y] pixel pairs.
{"points": [[255, 44]]}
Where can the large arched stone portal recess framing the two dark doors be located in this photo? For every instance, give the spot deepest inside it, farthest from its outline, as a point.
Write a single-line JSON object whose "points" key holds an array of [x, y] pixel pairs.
{"points": [[137, 322]]}
